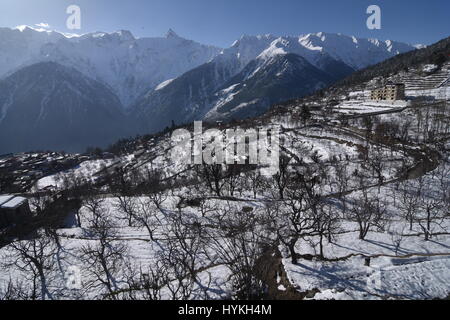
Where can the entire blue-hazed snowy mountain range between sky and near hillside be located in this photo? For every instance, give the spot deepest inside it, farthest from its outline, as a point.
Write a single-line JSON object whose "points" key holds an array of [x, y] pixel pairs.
{"points": [[68, 92]]}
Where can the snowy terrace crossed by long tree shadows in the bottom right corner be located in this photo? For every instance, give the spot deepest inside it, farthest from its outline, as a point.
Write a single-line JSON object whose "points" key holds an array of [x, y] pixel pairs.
{"points": [[386, 277]]}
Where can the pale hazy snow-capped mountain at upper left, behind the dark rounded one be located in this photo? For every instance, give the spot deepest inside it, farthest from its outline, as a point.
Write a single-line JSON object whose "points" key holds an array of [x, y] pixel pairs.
{"points": [[129, 65]]}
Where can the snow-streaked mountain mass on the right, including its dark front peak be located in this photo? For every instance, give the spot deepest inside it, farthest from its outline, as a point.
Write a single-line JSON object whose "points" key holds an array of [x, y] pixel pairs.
{"points": [[221, 88]]}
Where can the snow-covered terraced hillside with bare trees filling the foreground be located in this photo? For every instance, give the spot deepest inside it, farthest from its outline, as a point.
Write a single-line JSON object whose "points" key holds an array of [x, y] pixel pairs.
{"points": [[358, 207]]}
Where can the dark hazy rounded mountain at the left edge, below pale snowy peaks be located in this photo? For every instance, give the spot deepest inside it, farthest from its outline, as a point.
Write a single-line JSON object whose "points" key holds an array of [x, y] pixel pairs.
{"points": [[48, 106]]}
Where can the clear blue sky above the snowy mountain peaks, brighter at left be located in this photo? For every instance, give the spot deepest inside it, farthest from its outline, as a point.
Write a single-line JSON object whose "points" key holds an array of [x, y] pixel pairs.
{"points": [[220, 22]]}
